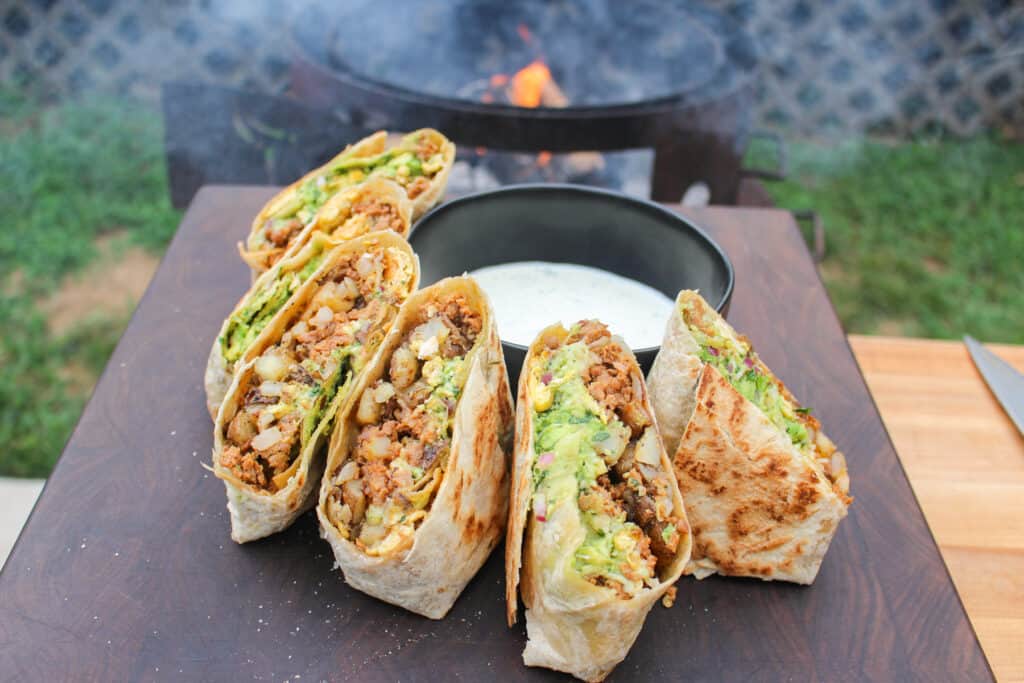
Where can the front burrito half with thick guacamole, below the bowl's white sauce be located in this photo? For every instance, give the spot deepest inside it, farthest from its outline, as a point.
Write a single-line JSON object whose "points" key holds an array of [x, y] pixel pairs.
{"points": [[606, 530]]}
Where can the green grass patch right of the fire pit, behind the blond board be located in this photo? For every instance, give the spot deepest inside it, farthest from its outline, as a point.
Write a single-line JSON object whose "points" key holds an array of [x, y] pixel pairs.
{"points": [[925, 239]]}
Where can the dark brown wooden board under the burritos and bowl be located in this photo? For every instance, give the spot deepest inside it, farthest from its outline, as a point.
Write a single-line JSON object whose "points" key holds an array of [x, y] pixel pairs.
{"points": [[125, 570]]}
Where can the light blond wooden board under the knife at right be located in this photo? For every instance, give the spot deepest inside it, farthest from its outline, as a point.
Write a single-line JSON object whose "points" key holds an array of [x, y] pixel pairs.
{"points": [[966, 461]]}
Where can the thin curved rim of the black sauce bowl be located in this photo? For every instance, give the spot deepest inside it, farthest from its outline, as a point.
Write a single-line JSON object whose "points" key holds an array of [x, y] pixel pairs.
{"points": [[604, 194]]}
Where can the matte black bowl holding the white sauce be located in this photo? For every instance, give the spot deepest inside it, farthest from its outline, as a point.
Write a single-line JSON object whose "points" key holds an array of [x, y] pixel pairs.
{"points": [[573, 225]]}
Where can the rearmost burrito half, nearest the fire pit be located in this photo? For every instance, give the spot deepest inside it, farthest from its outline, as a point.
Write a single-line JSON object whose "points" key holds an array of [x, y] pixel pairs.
{"points": [[420, 163]]}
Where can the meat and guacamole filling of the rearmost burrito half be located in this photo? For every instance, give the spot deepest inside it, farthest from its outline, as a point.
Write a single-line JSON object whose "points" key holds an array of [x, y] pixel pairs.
{"points": [[413, 164]]}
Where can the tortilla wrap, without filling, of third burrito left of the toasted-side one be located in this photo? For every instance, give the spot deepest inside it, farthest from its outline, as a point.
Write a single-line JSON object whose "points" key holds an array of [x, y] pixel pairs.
{"points": [[257, 514]]}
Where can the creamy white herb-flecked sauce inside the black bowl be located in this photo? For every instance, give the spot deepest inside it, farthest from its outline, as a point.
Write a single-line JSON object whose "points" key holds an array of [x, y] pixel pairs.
{"points": [[529, 296]]}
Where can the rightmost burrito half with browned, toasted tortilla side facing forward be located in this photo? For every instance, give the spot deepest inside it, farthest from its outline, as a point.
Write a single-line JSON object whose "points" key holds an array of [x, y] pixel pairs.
{"points": [[765, 489]]}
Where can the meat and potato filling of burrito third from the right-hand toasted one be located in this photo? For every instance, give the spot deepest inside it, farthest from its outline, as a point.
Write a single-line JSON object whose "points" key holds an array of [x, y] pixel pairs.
{"points": [[290, 398]]}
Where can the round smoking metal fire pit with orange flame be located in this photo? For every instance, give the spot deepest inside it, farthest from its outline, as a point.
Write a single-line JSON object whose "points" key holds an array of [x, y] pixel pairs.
{"points": [[548, 79]]}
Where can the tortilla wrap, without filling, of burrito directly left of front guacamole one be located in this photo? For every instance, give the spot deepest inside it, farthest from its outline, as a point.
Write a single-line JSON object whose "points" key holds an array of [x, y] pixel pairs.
{"points": [[470, 510]]}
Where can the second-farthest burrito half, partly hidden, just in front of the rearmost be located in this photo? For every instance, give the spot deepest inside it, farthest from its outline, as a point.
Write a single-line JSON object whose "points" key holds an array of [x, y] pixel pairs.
{"points": [[378, 204]]}
